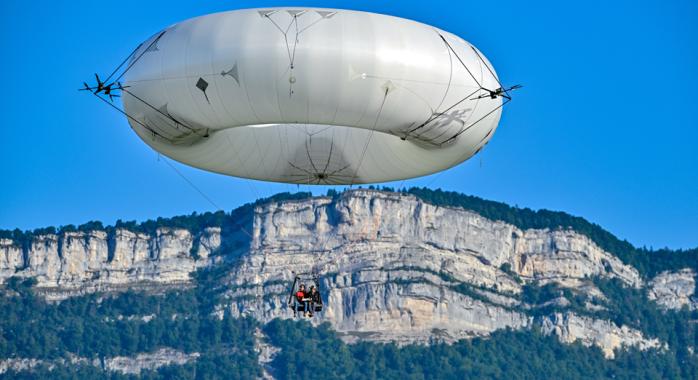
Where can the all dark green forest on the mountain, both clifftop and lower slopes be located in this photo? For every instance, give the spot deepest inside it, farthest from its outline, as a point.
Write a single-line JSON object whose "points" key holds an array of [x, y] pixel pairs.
{"points": [[106, 325]]}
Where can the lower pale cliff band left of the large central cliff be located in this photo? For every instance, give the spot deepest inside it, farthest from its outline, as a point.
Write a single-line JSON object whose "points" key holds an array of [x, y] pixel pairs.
{"points": [[78, 262]]}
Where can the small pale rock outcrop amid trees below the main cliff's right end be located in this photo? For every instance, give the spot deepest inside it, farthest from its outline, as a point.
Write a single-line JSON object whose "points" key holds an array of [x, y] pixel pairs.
{"points": [[569, 327]]}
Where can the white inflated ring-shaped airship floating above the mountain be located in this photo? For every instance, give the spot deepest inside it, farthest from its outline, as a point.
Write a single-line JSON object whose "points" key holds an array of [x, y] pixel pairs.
{"points": [[311, 96]]}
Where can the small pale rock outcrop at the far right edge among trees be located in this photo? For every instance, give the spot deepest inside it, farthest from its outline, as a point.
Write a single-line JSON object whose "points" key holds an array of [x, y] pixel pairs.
{"points": [[674, 290]]}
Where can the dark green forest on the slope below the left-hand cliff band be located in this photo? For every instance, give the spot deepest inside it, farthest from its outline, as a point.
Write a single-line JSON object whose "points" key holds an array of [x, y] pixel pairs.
{"points": [[98, 326]]}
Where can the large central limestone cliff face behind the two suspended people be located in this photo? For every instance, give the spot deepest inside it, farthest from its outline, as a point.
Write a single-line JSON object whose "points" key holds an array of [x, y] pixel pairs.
{"points": [[394, 267]]}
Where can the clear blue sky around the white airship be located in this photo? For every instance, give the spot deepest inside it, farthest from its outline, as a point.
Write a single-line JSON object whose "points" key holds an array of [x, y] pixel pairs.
{"points": [[605, 128]]}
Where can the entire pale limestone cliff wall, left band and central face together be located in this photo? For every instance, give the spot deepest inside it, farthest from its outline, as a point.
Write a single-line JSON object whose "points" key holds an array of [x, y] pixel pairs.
{"points": [[392, 268]]}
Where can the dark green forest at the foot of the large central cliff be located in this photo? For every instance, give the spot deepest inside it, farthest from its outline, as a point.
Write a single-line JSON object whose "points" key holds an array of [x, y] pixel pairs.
{"points": [[308, 353]]}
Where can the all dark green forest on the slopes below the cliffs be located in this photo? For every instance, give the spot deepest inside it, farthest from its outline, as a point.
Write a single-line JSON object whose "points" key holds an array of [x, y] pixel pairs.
{"points": [[98, 326]]}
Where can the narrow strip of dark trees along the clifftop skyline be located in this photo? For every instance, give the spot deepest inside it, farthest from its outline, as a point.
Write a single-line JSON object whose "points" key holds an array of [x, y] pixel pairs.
{"points": [[645, 260]]}
